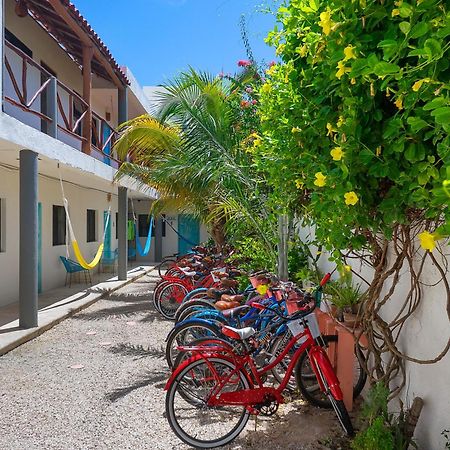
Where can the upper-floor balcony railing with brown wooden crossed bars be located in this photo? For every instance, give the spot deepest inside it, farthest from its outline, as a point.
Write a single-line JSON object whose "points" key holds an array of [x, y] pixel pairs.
{"points": [[34, 96]]}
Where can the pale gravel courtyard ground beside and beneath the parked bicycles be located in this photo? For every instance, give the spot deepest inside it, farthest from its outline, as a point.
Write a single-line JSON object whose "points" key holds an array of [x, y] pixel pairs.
{"points": [[96, 381]]}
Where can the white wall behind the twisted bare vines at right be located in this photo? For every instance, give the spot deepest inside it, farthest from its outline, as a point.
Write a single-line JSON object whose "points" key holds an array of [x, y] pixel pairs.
{"points": [[424, 337]]}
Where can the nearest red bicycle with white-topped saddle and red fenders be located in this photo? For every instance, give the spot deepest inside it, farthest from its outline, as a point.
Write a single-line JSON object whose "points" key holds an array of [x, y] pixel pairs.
{"points": [[211, 395]]}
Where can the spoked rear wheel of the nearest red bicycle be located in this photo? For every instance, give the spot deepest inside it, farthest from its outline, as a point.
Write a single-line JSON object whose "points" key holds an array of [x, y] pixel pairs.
{"points": [[188, 413]]}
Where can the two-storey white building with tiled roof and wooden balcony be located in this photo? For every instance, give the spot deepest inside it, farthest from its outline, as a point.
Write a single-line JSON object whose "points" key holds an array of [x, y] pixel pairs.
{"points": [[63, 97]]}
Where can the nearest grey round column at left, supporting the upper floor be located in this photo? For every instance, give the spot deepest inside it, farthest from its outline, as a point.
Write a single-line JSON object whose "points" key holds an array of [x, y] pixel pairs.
{"points": [[28, 247]]}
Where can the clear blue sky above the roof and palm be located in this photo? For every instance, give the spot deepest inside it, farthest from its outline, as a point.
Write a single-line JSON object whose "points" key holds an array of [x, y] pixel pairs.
{"points": [[158, 38]]}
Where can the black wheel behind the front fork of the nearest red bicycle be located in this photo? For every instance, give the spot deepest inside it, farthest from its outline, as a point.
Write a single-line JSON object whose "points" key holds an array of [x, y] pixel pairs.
{"points": [[307, 381]]}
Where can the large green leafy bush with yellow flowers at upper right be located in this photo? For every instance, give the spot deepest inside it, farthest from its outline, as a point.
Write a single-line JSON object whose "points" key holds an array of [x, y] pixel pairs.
{"points": [[356, 123]]}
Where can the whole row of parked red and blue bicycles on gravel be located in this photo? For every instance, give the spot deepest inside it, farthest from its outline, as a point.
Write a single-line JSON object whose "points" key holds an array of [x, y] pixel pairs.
{"points": [[233, 354]]}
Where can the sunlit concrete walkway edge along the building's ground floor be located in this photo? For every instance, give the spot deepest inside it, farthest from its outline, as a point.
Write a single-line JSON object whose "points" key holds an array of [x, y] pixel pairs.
{"points": [[11, 336]]}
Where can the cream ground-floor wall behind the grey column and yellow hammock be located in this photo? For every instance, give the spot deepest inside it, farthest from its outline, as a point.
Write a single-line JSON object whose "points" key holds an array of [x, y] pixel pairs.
{"points": [[53, 272]]}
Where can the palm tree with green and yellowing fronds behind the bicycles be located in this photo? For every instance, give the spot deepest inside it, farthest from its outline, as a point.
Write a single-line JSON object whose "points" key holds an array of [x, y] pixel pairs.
{"points": [[191, 153]]}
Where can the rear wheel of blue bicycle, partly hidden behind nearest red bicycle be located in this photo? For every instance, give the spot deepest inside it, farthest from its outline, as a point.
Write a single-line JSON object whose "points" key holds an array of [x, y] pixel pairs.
{"points": [[185, 334]]}
